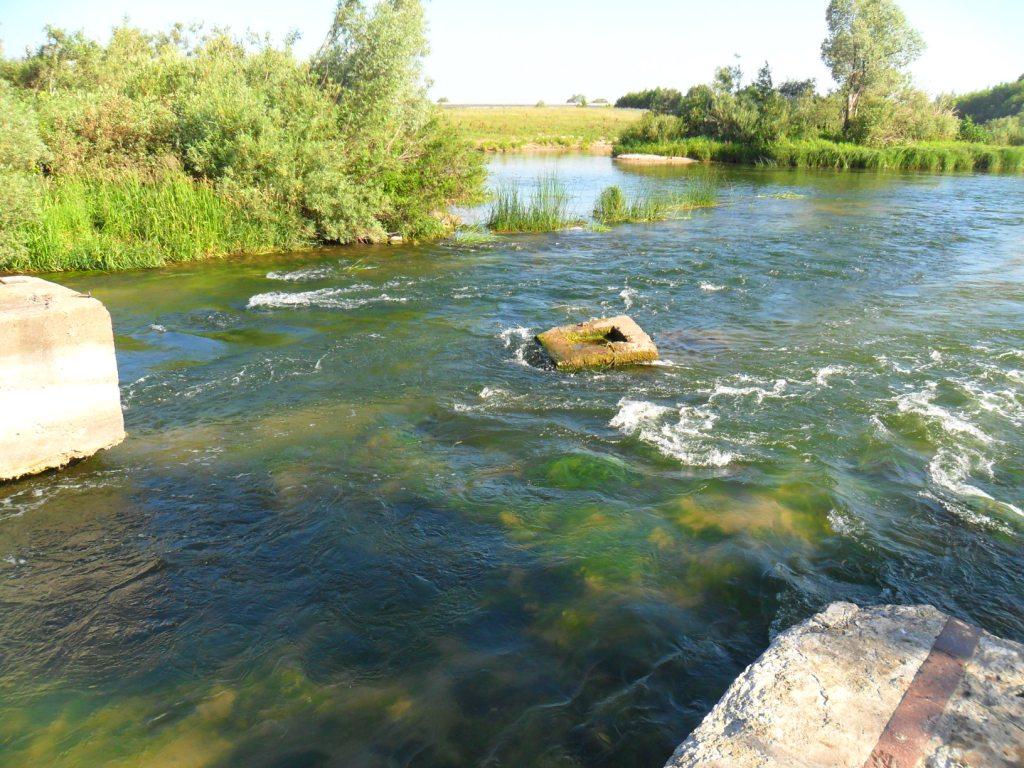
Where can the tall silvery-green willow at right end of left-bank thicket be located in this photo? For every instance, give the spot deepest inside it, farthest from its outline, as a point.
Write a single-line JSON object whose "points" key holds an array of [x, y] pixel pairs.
{"points": [[372, 66]]}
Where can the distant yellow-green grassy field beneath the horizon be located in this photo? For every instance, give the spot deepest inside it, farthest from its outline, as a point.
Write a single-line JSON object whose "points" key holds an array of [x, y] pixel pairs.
{"points": [[519, 129]]}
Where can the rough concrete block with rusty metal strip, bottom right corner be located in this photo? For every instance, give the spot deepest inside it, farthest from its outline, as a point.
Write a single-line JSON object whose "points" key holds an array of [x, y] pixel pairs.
{"points": [[880, 688]]}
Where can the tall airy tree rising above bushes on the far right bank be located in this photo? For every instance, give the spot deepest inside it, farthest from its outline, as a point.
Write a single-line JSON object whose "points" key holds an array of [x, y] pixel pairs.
{"points": [[869, 48]]}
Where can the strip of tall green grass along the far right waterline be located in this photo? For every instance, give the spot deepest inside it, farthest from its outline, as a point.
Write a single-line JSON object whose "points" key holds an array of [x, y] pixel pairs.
{"points": [[940, 157]]}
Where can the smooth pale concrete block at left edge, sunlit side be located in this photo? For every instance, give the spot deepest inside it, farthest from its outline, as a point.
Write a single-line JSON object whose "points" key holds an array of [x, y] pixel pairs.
{"points": [[59, 377]]}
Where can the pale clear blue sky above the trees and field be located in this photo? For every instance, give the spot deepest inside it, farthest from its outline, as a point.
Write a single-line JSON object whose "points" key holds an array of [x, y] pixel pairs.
{"points": [[520, 52]]}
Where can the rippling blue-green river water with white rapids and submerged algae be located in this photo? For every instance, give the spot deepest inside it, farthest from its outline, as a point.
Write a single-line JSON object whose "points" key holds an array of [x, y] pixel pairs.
{"points": [[360, 523]]}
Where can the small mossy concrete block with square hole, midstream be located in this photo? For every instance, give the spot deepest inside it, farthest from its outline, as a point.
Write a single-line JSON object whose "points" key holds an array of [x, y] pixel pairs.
{"points": [[599, 344]]}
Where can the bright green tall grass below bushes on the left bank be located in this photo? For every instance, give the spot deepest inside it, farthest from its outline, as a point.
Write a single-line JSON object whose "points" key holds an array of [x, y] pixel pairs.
{"points": [[93, 225]]}
